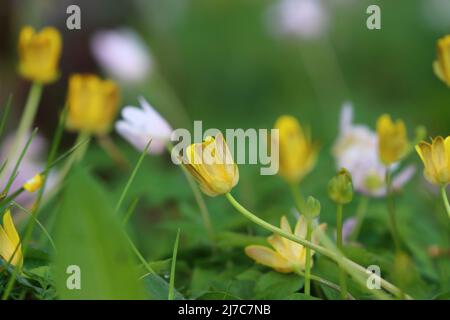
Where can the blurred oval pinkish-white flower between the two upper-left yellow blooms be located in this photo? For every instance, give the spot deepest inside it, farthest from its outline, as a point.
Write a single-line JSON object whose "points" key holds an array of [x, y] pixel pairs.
{"points": [[122, 54]]}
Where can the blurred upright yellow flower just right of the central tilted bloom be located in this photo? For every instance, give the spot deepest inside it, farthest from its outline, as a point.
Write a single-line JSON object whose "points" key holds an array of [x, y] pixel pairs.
{"points": [[298, 154]]}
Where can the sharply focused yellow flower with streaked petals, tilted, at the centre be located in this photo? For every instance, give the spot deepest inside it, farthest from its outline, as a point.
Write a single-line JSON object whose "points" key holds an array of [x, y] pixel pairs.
{"points": [[212, 165]]}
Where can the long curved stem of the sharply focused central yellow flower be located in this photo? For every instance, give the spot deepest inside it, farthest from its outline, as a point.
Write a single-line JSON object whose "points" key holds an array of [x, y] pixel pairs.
{"points": [[352, 267]]}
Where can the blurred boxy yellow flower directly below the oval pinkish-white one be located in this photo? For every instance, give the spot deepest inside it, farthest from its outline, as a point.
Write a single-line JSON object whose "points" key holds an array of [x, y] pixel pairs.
{"points": [[93, 104]]}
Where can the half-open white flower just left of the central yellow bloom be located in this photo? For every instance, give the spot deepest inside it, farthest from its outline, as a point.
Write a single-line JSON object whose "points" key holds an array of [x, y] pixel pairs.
{"points": [[139, 125]]}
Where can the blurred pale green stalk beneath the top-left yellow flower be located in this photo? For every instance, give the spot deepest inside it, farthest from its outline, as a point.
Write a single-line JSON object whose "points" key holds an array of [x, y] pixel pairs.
{"points": [[26, 122]]}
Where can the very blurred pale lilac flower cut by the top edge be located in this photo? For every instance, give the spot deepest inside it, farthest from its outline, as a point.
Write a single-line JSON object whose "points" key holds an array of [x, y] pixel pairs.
{"points": [[304, 18]]}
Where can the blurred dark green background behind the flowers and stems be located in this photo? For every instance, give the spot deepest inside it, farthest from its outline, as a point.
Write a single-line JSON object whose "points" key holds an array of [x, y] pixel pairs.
{"points": [[228, 64]]}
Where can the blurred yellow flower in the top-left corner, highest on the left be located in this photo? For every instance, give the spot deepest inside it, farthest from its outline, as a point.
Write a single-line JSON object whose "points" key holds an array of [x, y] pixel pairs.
{"points": [[39, 54]]}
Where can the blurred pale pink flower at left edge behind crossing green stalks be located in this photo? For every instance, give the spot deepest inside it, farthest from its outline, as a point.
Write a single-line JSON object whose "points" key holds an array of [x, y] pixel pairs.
{"points": [[32, 164]]}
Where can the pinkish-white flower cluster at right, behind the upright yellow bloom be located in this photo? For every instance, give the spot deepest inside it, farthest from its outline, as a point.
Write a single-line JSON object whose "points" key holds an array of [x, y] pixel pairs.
{"points": [[356, 149]]}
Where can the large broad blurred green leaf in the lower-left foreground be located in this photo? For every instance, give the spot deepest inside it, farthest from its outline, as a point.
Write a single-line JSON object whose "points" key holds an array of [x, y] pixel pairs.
{"points": [[89, 236]]}
